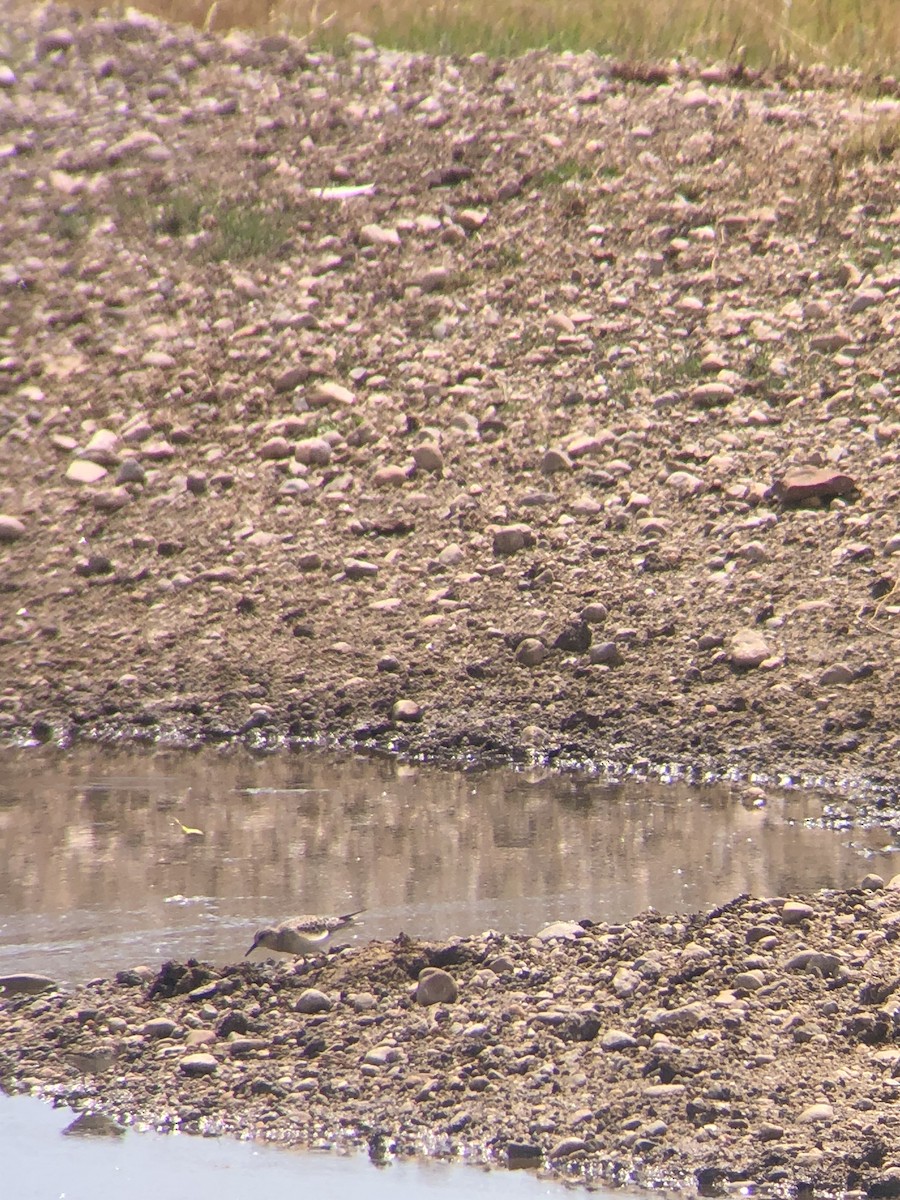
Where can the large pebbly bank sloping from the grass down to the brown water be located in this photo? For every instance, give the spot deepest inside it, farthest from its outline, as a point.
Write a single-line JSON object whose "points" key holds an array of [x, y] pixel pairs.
{"points": [[458, 407]]}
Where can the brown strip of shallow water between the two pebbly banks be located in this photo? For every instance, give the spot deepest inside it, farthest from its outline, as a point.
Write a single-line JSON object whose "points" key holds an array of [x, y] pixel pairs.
{"points": [[98, 872]]}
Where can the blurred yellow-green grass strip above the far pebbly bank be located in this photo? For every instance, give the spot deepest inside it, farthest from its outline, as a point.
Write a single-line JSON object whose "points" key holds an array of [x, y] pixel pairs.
{"points": [[863, 34]]}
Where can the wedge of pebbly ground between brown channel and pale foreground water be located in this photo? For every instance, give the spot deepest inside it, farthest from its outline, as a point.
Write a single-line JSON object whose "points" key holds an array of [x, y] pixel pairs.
{"points": [[749, 1046]]}
